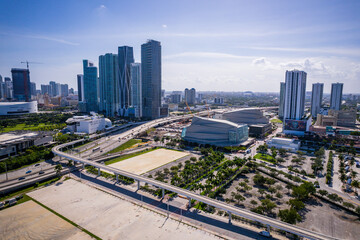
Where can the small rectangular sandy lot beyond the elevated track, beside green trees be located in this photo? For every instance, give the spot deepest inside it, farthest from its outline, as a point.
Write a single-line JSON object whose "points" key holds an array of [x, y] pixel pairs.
{"points": [[148, 161]]}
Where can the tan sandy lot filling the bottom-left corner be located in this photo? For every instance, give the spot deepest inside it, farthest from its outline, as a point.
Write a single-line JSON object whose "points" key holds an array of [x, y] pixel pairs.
{"points": [[31, 221]]}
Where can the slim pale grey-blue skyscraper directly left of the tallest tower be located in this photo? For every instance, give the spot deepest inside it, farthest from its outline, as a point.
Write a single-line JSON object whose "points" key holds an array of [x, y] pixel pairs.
{"points": [[136, 93]]}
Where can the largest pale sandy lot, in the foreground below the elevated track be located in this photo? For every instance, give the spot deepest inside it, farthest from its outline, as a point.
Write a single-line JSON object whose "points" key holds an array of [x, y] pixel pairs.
{"points": [[110, 217]]}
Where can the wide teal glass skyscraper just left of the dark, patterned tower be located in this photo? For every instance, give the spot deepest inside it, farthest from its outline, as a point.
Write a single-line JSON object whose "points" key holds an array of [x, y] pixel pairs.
{"points": [[108, 84]]}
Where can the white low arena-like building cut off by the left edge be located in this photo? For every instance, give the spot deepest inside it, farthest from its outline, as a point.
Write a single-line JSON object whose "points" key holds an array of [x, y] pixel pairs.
{"points": [[18, 108]]}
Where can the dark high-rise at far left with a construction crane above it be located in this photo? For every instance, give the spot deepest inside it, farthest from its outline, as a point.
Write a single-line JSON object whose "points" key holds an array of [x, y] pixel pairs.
{"points": [[21, 84]]}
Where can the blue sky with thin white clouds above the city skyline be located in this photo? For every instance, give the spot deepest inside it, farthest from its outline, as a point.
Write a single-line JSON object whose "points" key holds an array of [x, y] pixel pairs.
{"points": [[227, 45]]}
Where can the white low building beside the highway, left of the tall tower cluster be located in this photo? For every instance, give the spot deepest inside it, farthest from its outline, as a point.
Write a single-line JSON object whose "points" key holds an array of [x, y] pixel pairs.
{"points": [[88, 124]]}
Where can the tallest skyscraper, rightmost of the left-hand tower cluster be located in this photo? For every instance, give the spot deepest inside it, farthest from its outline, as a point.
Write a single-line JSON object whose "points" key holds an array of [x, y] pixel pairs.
{"points": [[151, 78]]}
